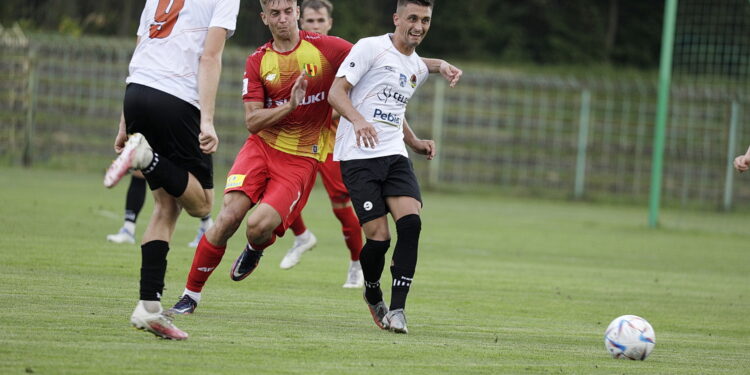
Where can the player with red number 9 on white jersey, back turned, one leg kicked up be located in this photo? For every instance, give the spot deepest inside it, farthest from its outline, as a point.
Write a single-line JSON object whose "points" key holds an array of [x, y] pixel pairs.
{"points": [[168, 113]]}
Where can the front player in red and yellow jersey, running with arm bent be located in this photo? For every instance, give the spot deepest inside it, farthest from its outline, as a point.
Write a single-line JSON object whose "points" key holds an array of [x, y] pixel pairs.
{"points": [[285, 90]]}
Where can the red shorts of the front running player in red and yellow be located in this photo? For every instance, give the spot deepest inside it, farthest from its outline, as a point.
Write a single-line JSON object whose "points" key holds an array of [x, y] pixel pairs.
{"points": [[270, 176]]}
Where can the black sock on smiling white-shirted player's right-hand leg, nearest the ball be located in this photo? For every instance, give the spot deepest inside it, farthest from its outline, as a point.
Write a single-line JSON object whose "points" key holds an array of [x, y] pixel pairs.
{"points": [[404, 259]]}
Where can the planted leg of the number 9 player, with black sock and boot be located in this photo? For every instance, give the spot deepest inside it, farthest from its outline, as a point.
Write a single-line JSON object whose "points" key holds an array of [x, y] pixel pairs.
{"points": [[148, 314]]}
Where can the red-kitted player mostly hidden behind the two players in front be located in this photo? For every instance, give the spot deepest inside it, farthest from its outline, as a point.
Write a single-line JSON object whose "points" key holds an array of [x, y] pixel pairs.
{"points": [[316, 17]]}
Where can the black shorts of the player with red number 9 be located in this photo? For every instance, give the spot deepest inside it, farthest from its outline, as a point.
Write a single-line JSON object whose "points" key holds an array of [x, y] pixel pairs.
{"points": [[171, 126]]}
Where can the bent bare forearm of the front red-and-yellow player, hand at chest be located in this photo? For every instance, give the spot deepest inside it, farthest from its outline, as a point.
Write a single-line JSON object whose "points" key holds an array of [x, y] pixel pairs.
{"points": [[258, 118]]}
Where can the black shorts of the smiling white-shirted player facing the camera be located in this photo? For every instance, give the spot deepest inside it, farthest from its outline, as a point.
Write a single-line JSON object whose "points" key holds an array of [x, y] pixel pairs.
{"points": [[370, 181]]}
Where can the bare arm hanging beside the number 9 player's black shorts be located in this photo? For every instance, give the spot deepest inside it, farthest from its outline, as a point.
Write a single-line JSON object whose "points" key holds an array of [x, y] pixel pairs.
{"points": [[209, 71]]}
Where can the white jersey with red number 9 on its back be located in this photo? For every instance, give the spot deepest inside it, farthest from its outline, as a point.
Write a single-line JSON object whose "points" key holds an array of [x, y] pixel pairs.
{"points": [[172, 34]]}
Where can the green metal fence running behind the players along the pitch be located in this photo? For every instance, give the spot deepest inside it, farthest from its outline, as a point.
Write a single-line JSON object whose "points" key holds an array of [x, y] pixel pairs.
{"points": [[561, 136]]}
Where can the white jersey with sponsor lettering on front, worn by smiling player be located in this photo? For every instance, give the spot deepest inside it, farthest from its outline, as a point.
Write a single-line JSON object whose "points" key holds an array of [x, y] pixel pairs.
{"points": [[383, 81]]}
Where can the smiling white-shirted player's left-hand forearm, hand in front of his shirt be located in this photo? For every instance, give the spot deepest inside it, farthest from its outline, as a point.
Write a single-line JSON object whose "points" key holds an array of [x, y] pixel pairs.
{"points": [[339, 99]]}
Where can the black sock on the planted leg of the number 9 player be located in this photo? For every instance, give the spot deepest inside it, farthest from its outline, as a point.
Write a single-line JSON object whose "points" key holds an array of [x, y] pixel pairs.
{"points": [[153, 269]]}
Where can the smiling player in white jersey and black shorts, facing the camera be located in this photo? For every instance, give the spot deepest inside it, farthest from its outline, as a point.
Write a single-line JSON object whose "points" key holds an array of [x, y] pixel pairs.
{"points": [[371, 91]]}
